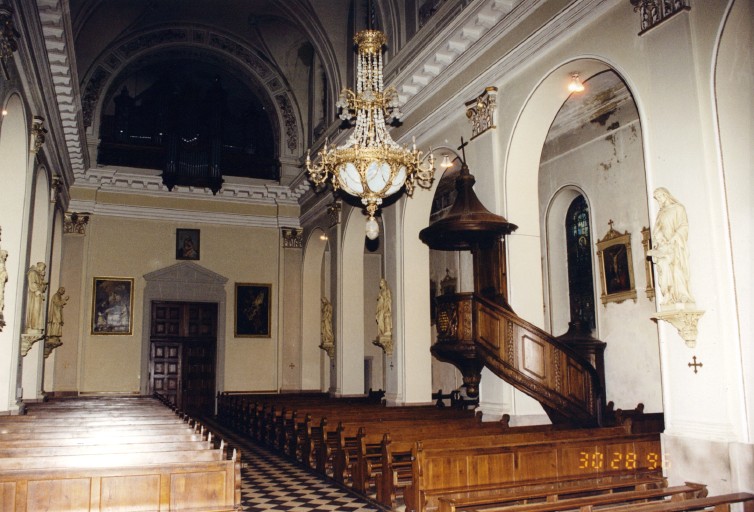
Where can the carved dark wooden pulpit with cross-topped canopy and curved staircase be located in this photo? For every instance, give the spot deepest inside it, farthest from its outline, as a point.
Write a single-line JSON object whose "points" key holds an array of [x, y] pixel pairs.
{"points": [[480, 329]]}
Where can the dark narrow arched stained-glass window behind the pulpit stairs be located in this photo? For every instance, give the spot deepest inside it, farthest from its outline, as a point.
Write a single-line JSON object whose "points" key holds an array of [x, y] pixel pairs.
{"points": [[580, 277]]}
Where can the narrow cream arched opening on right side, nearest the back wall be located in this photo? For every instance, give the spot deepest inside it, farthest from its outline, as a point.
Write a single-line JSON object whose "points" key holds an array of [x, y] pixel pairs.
{"points": [[315, 362]]}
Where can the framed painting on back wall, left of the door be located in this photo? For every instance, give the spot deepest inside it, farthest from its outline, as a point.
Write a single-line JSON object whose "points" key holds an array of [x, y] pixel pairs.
{"points": [[112, 305]]}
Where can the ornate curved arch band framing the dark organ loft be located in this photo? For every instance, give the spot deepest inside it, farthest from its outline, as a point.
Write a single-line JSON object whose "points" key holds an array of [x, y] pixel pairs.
{"points": [[274, 91]]}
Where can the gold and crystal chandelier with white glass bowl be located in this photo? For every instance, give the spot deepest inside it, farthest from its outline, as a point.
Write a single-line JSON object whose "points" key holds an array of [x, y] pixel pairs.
{"points": [[371, 165]]}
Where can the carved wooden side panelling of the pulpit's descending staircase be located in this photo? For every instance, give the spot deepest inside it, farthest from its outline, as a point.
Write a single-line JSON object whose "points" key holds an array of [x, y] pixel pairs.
{"points": [[533, 361]]}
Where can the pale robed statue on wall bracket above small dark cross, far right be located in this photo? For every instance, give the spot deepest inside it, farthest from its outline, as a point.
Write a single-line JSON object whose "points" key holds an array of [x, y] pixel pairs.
{"points": [[669, 251]]}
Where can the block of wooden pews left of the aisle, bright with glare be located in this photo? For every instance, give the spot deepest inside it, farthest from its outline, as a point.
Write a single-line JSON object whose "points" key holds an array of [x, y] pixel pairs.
{"points": [[90, 455]]}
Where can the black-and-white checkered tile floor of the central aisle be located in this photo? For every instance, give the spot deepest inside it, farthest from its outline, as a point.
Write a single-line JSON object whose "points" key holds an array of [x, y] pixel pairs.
{"points": [[273, 483]]}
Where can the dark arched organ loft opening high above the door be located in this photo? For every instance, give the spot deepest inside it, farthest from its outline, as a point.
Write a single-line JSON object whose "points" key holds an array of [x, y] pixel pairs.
{"points": [[179, 112]]}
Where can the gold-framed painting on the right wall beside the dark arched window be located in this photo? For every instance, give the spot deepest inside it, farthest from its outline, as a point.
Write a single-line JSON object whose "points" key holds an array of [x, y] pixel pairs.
{"points": [[616, 266]]}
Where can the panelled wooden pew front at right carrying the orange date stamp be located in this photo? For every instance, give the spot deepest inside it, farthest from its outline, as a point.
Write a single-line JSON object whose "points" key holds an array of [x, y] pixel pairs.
{"points": [[470, 463]]}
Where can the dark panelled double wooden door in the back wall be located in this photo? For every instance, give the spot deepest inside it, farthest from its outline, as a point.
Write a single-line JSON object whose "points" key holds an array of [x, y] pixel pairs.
{"points": [[182, 357]]}
